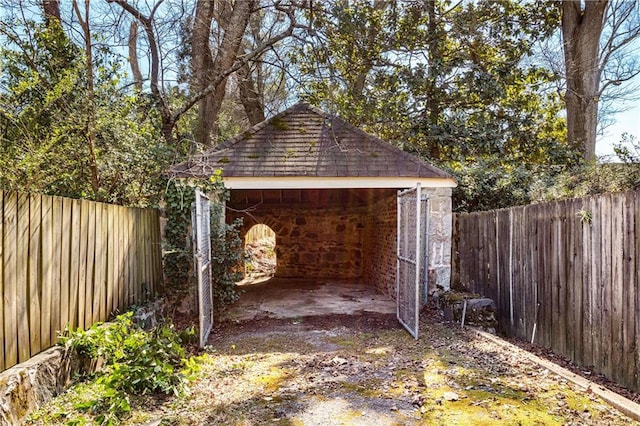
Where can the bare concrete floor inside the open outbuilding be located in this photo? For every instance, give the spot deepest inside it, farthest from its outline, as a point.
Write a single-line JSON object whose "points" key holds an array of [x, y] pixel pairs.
{"points": [[293, 298]]}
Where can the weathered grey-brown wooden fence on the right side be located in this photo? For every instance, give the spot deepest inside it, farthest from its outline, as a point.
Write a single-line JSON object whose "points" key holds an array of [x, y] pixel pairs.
{"points": [[569, 270]]}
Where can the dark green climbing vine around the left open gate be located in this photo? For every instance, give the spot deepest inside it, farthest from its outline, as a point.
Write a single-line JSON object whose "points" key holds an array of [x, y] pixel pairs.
{"points": [[226, 245]]}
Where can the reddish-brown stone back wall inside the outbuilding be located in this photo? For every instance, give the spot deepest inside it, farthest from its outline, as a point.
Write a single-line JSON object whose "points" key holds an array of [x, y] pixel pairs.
{"points": [[312, 242]]}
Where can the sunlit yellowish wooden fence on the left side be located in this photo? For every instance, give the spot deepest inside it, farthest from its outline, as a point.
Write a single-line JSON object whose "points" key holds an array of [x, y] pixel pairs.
{"points": [[69, 262]]}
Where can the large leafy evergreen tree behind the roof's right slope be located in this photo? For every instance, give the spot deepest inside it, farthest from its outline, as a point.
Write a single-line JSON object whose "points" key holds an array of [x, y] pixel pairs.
{"points": [[449, 81]]}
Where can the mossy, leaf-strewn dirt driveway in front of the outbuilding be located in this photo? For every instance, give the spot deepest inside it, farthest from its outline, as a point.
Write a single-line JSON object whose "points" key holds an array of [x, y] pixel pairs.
{"points": [[365, 370]]}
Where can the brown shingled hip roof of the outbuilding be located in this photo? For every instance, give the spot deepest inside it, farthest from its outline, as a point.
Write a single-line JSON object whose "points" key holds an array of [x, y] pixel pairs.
{"points": [[304, 141]]}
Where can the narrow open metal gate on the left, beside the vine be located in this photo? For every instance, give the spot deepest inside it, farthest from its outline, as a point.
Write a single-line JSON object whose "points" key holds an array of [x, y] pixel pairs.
{"points": [[201, 225]]}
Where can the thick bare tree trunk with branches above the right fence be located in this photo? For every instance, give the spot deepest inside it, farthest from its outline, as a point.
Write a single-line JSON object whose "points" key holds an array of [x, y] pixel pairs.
{"points": [[595, 65]]}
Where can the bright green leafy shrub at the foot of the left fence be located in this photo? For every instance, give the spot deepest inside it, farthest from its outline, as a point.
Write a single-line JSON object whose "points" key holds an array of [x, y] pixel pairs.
{"points": [[136, 363]]}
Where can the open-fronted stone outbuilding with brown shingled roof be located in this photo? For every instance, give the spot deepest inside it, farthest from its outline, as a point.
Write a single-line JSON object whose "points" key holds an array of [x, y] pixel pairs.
{"points": [[331, 193]]}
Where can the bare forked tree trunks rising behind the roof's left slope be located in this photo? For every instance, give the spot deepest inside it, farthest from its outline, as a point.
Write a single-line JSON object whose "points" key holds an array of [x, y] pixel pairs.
{"points": [[212, 70]]}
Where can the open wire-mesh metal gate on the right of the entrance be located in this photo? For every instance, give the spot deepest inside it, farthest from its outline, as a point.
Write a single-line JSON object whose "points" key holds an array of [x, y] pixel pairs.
{"points": [[412, 275]]}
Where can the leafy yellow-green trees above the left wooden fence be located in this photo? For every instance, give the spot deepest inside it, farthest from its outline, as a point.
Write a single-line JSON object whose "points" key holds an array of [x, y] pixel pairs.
{"points": [[68, 126]]}
